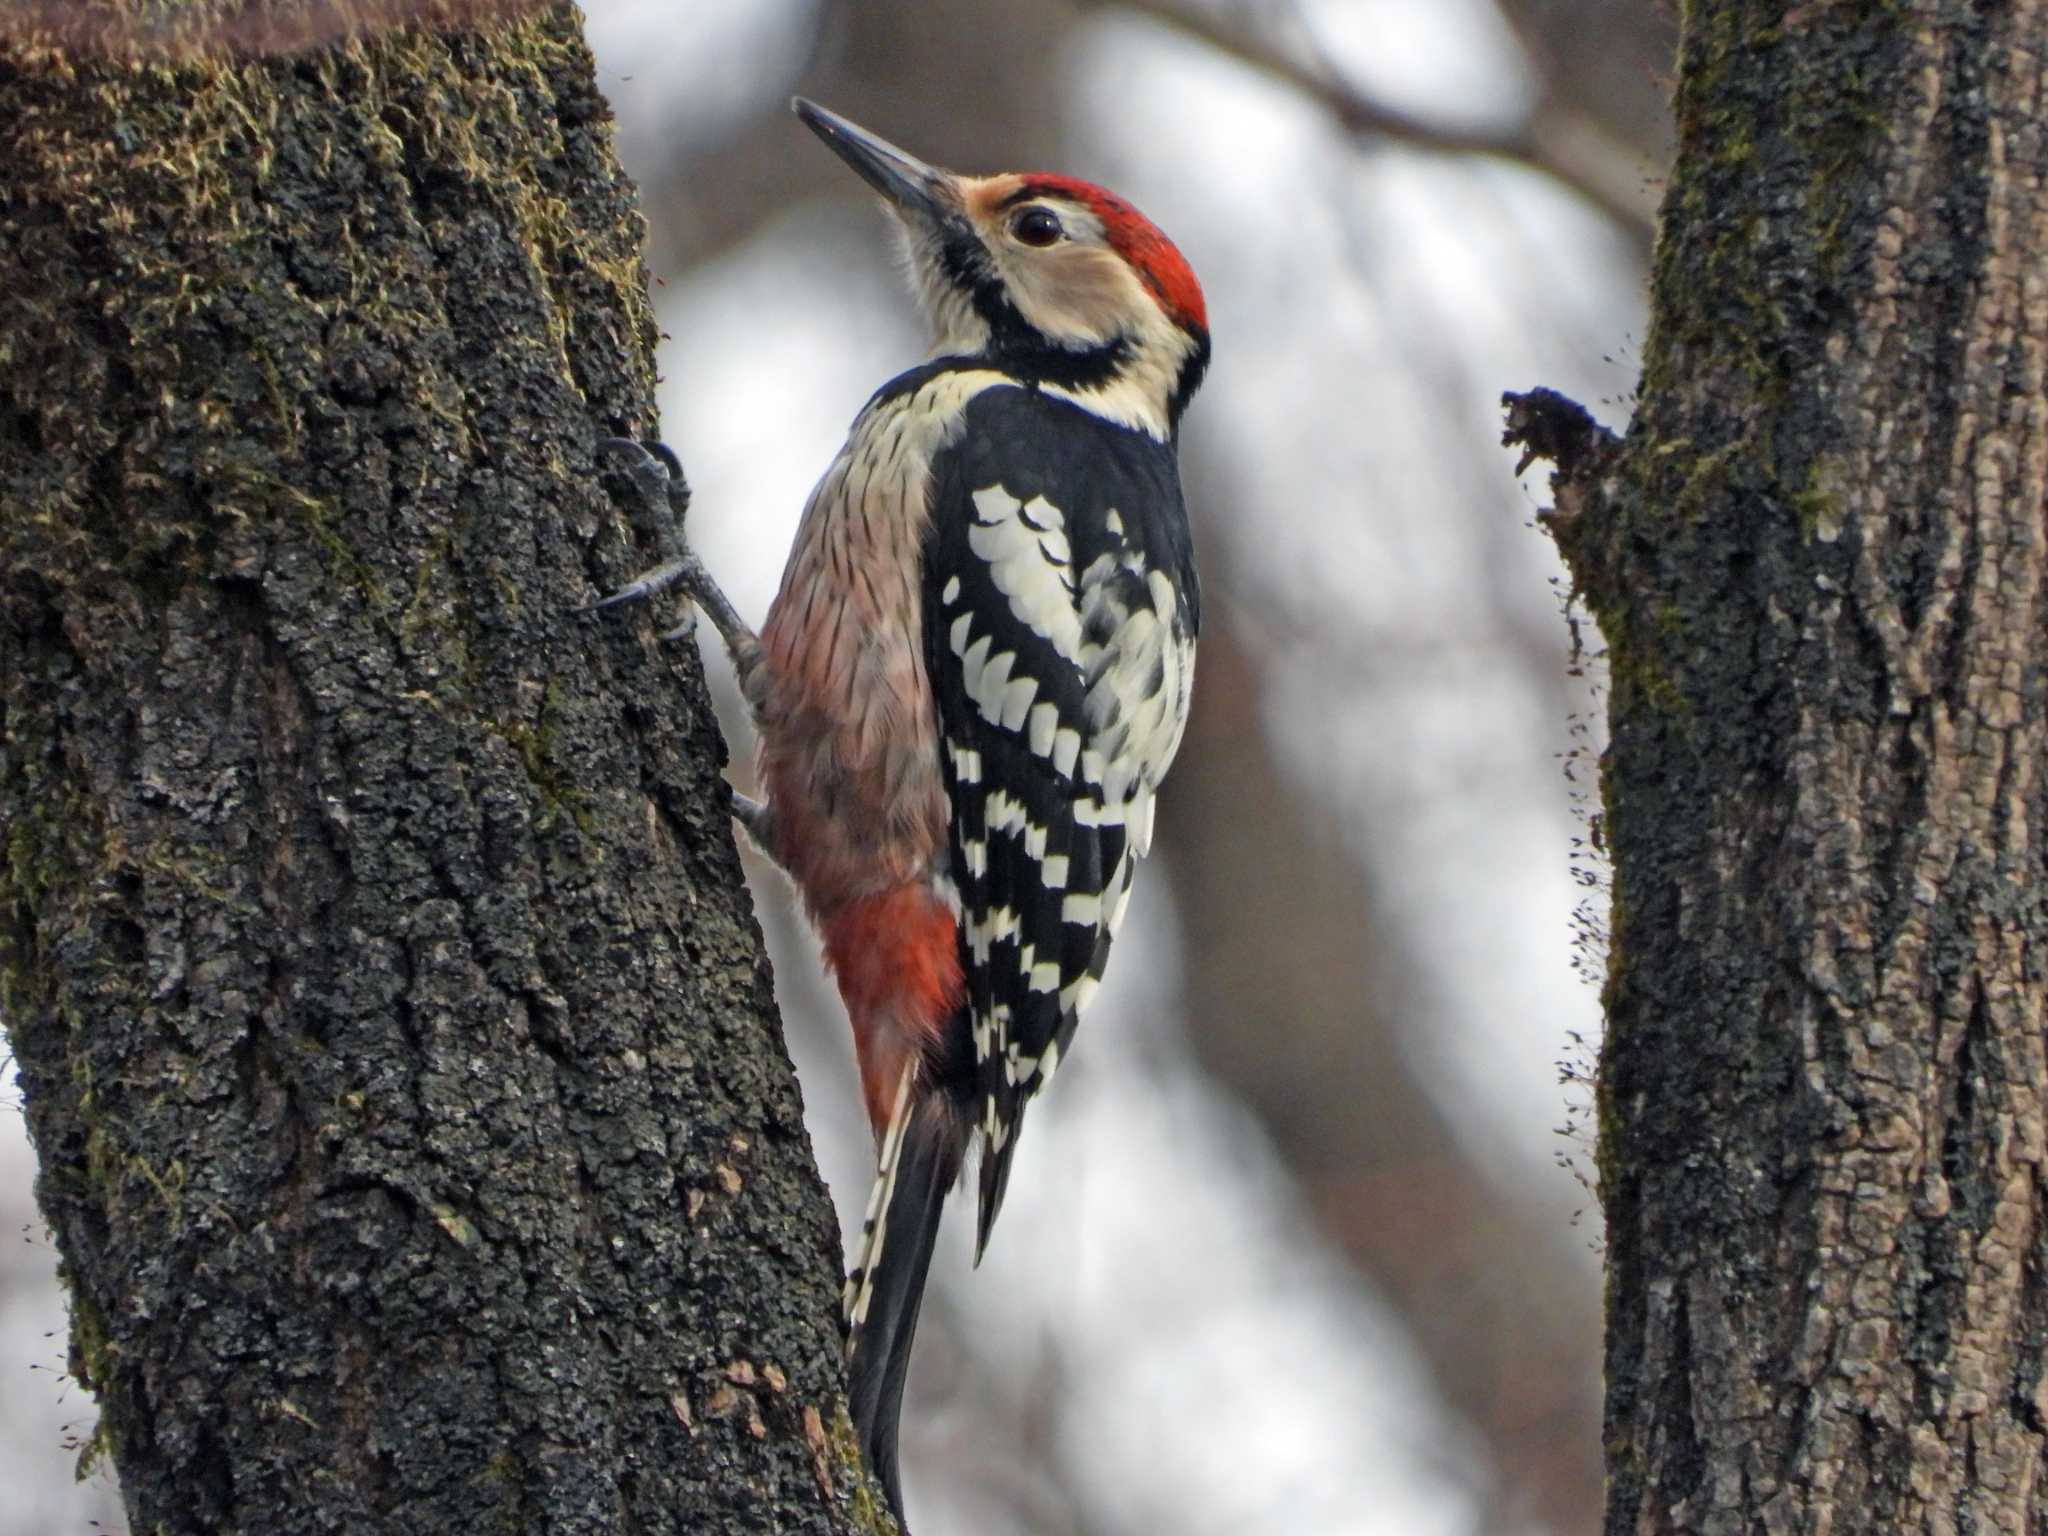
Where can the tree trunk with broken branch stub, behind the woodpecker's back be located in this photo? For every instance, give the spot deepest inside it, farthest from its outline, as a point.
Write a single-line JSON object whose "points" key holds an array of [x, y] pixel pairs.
{"points": [[1822, 568]]}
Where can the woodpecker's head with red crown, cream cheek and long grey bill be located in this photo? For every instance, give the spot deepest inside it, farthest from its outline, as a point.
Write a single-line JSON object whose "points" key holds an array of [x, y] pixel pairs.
{"points": [[1054, 280]]}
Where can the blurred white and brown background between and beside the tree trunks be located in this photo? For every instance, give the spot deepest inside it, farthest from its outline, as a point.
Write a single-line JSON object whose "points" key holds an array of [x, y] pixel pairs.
{"points": [[1295, 1244]]}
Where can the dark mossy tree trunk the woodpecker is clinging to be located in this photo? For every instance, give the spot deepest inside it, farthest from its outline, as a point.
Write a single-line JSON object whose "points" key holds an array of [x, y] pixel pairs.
{"points": [[392, 1021]]}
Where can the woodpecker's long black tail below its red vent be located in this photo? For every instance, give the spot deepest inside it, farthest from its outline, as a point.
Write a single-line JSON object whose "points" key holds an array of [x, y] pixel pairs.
{"points": [[892, 1283]]}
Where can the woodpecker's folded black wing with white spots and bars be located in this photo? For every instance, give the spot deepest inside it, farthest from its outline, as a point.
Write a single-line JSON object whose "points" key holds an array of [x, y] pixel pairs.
{"points": [[1060, 636]]}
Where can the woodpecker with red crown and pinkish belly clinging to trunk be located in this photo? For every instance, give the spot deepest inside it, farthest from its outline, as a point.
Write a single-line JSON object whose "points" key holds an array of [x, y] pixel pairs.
{"points": [[972, 683]]}
